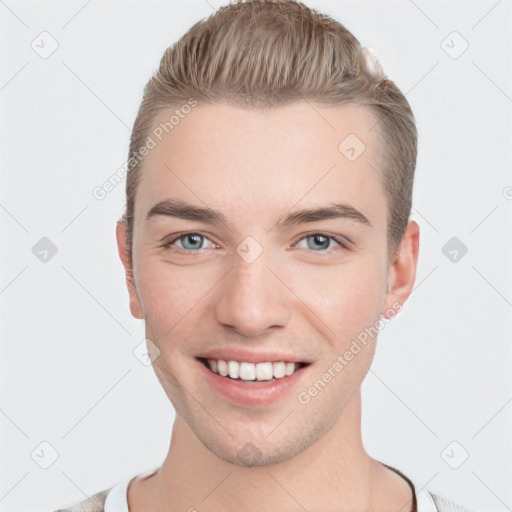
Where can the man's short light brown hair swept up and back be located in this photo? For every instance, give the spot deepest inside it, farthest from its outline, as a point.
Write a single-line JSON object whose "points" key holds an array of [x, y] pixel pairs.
{"points": [[266, 53]]}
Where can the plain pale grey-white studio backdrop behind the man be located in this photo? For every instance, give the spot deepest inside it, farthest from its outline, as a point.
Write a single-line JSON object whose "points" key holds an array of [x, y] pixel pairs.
{"points": [[80, 411]]}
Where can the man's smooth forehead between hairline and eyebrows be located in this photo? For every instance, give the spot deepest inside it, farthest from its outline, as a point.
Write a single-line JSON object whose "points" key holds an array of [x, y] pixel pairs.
{"points": [[257, 163]]}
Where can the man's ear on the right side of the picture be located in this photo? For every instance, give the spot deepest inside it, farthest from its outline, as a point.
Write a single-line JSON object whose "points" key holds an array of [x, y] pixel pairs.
{"points": [[402, 270]]}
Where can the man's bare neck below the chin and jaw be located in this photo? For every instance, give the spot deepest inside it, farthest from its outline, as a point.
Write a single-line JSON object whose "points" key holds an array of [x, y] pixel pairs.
{"points": [[334, 473]]}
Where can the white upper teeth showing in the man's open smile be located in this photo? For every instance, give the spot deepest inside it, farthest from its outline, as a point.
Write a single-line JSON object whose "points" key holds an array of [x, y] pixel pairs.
{"points": [[252, 372]]}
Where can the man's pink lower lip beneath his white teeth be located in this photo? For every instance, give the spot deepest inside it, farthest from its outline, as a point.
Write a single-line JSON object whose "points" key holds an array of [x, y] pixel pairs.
{"points": [[254, 393]]}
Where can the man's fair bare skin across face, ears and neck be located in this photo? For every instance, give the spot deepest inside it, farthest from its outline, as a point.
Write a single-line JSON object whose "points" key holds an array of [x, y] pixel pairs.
{"points": [[300, 295]]}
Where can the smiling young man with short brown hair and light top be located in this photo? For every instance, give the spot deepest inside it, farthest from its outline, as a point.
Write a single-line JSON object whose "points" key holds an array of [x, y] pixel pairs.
{"points": [[266, 239]]}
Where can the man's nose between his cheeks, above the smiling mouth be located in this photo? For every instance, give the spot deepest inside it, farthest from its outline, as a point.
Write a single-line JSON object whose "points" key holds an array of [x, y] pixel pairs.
{"points": [[252, 300]]}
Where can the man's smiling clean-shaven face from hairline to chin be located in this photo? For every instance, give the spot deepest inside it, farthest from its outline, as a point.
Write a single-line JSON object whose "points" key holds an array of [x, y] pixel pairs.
{"points": [[226, 269]]}
